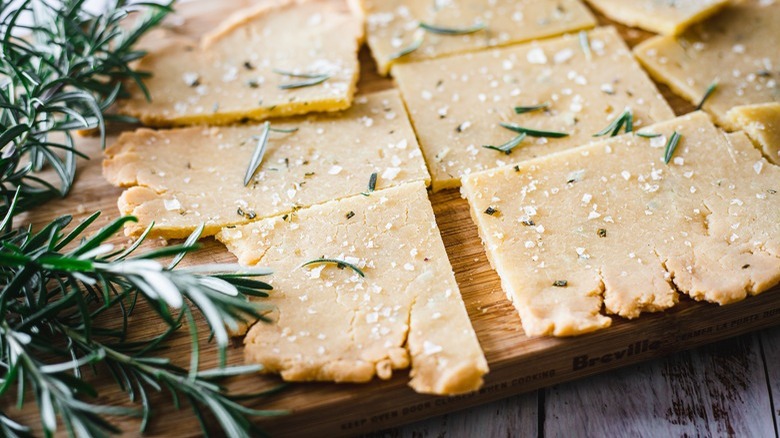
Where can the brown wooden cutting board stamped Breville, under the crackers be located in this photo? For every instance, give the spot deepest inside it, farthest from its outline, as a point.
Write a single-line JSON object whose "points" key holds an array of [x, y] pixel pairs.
{"points": [[518, 363]]}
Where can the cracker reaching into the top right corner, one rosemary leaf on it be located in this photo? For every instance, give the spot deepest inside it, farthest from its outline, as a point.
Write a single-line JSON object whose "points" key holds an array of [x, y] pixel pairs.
{"points": [[737, 49]]}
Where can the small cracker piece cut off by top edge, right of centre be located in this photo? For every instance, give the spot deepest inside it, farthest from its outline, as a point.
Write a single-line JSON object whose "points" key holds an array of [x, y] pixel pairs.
{"points": [[660, 16]]}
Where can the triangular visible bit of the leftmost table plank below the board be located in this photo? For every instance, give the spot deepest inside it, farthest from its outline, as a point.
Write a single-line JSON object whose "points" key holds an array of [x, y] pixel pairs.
{"points": [[513, 416]]}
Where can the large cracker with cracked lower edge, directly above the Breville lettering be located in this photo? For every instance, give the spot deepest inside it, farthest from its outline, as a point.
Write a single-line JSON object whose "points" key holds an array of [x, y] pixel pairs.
{"points": [[609, 224]]}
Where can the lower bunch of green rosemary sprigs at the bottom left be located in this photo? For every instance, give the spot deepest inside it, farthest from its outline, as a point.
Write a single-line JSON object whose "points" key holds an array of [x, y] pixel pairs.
{"points": [[50, 292]]}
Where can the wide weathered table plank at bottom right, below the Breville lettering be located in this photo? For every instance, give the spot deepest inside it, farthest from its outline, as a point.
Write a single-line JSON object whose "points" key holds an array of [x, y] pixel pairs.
{"points": [[717, 390]]}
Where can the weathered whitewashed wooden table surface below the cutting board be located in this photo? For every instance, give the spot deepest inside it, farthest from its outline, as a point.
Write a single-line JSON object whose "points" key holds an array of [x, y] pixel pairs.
{"points": [[728, 388]]}
